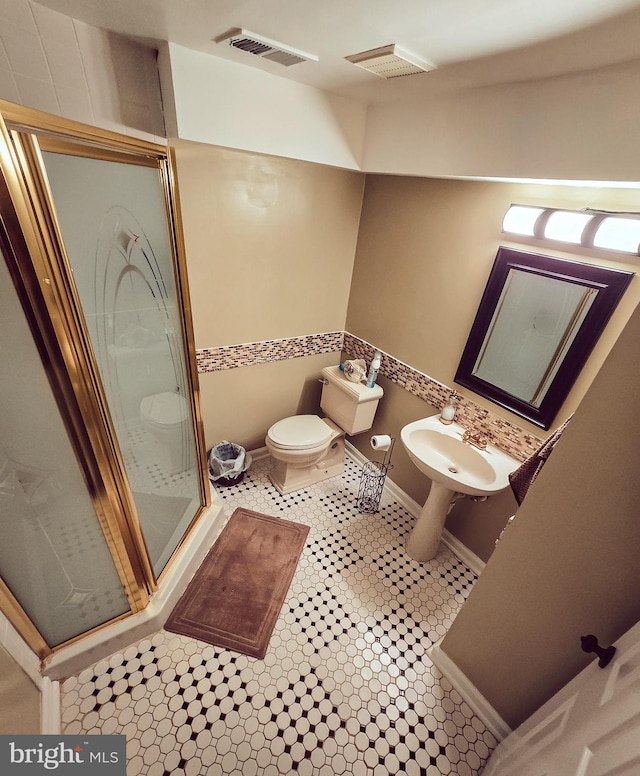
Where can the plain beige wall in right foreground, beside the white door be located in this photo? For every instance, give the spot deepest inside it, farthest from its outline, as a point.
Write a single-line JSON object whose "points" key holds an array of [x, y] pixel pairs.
{"points": [[568, 564]]}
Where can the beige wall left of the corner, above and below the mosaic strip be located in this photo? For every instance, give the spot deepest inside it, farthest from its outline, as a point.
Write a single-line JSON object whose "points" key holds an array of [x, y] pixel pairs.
{"points": [[270, 246]]}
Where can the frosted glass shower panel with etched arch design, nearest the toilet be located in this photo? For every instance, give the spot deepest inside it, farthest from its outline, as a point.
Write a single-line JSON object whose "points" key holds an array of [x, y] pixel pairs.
{"points": [[113, 219]]}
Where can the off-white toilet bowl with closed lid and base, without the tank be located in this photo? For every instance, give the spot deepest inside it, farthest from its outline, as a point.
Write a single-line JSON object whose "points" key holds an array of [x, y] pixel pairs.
{"points": [[306, 449]]}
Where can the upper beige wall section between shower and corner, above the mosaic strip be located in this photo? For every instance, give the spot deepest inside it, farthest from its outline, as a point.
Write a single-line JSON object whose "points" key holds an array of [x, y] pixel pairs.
{"points": [[270, 243]]}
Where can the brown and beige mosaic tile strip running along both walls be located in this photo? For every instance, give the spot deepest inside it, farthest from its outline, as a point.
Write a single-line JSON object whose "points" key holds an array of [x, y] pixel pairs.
{"points": [[499, 431]]}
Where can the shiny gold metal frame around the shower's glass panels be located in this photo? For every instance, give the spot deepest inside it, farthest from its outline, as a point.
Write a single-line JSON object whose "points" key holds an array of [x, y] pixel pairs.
{"points": [[42, 274]]}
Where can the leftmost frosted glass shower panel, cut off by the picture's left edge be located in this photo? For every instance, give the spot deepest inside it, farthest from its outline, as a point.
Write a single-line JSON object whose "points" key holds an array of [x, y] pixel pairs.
{"points": [[53, 554]]}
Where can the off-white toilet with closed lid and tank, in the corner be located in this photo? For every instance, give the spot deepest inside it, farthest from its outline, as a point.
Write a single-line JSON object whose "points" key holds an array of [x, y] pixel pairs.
{"points": [[307, 448]]}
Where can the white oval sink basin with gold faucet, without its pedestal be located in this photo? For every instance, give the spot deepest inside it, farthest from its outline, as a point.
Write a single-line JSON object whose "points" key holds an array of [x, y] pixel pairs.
{"points": [[439, 452]]}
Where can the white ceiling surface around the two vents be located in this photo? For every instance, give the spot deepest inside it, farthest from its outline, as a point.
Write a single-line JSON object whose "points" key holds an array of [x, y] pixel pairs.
{"points": [[472, 42]]}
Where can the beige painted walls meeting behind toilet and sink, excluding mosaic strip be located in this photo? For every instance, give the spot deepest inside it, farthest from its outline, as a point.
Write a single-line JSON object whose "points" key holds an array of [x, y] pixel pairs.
{"points": [[270, 249]]}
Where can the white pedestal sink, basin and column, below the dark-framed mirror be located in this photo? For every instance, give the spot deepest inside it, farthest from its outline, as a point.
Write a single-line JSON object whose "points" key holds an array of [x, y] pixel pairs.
{"points": [[454, 467]]}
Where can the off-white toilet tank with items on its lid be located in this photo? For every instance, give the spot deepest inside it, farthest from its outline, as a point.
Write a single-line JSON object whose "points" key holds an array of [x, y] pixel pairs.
{"points": [[351, 405]]}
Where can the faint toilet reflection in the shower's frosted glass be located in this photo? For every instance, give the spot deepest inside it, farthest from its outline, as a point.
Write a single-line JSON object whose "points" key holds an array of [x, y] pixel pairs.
{"points": [[166, 416]]}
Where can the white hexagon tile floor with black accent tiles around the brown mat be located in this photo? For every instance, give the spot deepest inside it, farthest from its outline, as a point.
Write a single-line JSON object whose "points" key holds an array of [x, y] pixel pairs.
{"points": [[345, 687]]}
